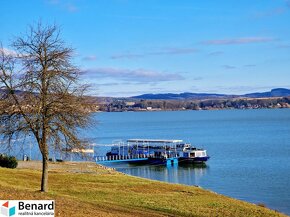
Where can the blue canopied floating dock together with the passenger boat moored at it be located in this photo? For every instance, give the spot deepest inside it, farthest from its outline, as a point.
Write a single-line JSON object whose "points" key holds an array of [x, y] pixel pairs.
{"points": [[153, 151]]}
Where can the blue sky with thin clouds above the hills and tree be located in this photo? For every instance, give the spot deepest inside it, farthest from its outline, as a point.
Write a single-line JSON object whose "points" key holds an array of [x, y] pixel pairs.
{"points": [[130, 47]]}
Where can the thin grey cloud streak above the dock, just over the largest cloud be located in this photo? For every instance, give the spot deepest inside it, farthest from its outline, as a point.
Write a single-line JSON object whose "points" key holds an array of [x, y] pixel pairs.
{"points": [[164, 51]]}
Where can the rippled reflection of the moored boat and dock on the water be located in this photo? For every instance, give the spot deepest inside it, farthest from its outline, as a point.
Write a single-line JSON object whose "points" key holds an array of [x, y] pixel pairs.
{"points": [[189, 174]]}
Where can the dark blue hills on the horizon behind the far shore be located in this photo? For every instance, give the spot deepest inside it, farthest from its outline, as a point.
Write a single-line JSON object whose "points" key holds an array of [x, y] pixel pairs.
{"points": [[278, 92]]}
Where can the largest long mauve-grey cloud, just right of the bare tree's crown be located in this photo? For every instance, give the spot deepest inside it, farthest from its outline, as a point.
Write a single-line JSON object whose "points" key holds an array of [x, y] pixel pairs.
{"points": [[137, 75]]}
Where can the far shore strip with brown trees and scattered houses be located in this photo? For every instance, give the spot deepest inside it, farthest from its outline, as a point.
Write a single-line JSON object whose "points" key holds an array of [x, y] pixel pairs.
{"points": [[119, 105]]}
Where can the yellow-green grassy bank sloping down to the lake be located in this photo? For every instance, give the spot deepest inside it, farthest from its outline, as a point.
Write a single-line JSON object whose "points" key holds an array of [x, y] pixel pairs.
{"points": [[88, 190]]}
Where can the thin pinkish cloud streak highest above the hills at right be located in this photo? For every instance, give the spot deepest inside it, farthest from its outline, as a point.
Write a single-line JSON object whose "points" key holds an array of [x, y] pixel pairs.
{"points": [[233, 41]]}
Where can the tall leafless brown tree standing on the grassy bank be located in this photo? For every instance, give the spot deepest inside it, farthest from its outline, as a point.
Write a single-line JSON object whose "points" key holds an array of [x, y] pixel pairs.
{"points": [[41, 94]]}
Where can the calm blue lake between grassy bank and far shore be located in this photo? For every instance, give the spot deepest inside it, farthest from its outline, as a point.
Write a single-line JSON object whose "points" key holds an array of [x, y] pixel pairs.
{"points": [[249, 149]]}
